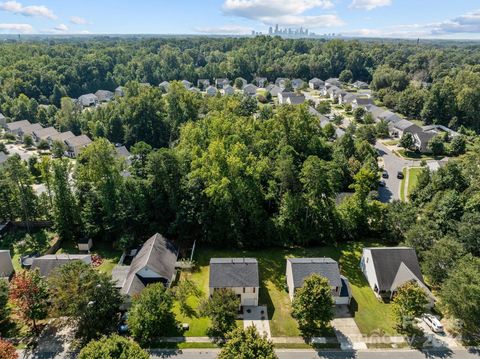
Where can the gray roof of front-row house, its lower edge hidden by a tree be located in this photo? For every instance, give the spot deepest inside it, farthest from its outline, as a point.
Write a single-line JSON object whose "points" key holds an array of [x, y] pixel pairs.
{"points": [[304, 267]]}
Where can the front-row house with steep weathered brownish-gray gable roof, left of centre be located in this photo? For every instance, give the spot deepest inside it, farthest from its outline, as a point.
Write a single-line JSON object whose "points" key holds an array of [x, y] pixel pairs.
{"points": [[155, 262]]}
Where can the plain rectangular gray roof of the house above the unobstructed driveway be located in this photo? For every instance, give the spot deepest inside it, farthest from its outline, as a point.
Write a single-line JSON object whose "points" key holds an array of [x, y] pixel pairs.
{"points": [[233, 273]]}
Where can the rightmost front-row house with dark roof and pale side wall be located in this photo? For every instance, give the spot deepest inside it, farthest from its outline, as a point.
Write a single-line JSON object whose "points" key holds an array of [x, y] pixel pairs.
{"points": [[388, 268]]}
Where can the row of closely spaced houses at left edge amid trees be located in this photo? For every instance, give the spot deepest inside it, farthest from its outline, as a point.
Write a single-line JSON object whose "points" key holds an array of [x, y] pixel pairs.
{"points": [[74, 144]]}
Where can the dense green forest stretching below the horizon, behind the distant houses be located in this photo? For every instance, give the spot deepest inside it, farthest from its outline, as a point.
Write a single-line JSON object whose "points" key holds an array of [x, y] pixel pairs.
{"points": [[435, 82]]}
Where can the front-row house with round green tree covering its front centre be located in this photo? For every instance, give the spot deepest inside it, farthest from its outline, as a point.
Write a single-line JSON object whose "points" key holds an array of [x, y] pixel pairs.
{"points": [[299, 269]]}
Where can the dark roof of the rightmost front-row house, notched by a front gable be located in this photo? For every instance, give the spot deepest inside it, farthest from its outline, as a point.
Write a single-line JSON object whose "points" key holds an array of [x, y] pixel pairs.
{"points": [[387, 262]]}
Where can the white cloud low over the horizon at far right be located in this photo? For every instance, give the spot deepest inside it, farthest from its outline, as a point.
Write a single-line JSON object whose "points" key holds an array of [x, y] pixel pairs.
{"points": [[468, 24]]}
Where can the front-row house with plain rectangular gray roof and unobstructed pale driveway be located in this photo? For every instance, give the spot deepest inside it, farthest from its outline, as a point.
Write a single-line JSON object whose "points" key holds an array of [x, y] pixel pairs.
{"points": [[237, 274]]}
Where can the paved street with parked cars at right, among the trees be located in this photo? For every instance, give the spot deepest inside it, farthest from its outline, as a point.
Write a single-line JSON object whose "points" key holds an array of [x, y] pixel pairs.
{"points": [[392, 164]]}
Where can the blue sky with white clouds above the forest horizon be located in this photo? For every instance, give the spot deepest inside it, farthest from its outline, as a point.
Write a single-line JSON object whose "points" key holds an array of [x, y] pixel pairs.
{"points": [[444, 19]]}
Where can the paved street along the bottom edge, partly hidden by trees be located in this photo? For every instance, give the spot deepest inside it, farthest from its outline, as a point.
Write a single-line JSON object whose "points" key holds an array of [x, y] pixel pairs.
{"points": [[311, 354]]}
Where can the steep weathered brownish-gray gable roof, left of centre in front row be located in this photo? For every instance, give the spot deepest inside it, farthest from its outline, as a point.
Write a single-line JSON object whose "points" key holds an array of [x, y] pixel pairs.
{"points": [[157, 254]]}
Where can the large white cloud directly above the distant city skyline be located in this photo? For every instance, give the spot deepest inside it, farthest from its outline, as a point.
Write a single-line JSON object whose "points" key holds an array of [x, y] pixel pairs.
{"points": [[282, 12]]}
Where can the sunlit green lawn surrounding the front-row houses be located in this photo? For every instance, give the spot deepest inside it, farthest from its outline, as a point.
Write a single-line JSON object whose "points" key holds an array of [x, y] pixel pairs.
{"points": [[369, 313]]}
